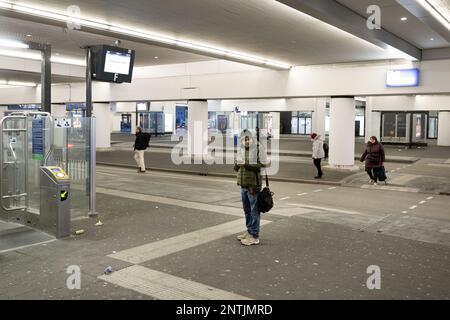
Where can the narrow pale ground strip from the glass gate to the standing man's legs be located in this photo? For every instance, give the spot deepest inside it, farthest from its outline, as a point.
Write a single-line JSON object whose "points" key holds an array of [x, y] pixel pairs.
{"points": [[174, 202]]}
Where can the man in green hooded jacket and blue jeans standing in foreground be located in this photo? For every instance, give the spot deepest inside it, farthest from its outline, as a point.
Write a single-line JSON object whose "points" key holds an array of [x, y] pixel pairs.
{"points": [[248, 167]]}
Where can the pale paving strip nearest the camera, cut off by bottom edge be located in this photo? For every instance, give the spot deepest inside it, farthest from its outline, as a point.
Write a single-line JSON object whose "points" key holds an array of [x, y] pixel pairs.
{"points": [[164, 286]]}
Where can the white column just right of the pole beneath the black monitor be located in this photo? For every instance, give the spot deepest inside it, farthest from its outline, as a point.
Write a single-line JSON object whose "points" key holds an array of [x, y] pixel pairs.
{"points": [[103, 115]]}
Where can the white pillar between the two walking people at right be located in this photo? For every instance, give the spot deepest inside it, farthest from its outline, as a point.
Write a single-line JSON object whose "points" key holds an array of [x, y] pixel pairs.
{"points": [[342, 133]]}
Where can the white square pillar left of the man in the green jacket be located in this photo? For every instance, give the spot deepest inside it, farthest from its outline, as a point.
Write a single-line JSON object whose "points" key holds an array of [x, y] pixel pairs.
{"points": [[197, 143]]}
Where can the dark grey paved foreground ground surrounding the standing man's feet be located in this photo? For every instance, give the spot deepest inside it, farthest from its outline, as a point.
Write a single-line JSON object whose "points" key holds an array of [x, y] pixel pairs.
{"points": [[317, 244]]}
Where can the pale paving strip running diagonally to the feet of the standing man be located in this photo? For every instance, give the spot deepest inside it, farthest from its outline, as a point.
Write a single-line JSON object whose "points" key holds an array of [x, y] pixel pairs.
{"points": [[185, 241]]}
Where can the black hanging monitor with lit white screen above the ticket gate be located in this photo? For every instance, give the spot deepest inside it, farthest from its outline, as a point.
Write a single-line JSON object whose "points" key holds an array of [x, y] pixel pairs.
{"points": [[112, 64]]}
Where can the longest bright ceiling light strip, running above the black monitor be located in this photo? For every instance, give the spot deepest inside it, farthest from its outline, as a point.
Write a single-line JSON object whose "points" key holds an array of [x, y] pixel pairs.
{"points": [[141, 34]]}
